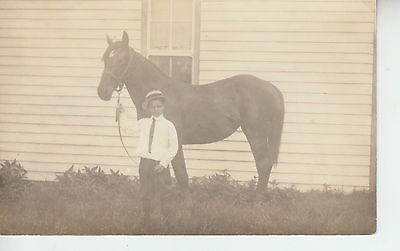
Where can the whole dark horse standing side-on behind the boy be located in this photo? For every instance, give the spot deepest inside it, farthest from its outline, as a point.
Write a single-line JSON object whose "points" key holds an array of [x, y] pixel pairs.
{"points": [[201, 113]]}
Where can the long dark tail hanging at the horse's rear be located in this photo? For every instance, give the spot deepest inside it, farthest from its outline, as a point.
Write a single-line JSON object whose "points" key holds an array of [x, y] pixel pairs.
{"points": [[275, 135]]}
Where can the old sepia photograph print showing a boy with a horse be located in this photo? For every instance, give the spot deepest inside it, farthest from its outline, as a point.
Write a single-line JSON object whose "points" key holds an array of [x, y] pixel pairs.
{"points": [[188, 117]]}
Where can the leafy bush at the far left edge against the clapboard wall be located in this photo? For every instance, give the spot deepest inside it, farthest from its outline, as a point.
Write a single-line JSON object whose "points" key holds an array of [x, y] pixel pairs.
{"points": [[12, 179]]}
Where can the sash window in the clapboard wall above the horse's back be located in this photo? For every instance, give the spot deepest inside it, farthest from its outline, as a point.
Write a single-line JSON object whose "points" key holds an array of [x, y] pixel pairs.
{"points": [[170, 37]]}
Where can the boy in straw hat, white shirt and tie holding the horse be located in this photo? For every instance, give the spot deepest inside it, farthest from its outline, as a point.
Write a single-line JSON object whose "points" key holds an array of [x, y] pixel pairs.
{"points": [[157, 146]]}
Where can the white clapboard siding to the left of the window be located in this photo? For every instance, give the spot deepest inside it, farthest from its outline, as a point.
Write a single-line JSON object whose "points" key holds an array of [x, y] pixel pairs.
{"points": [[50, 66]]}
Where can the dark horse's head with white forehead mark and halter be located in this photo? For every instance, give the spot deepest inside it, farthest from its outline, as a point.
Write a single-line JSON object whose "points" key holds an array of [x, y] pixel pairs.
{"points": [[117, 58]]}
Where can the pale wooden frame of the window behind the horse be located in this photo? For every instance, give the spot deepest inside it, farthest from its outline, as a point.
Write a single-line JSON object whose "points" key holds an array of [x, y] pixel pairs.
{"points": [[195, 43]]}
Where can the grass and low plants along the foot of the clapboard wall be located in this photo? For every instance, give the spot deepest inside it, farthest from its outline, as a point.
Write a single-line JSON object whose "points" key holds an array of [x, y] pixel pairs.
{"points": [[91, 202]]}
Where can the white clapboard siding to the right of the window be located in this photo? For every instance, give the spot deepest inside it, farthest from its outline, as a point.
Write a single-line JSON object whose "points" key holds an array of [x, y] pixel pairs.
{"points": [[320, 55]]}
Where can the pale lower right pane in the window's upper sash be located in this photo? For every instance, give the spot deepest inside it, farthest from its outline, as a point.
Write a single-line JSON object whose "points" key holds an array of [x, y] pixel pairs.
{"points": [[182, 35]]}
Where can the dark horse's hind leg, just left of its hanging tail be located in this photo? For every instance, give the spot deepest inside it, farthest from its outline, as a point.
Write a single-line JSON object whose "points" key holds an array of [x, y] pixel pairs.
{"points": [[260, 148]]}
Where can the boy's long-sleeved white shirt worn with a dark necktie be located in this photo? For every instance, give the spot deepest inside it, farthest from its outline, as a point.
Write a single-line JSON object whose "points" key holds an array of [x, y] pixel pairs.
{"points": [[165, 139]]}
